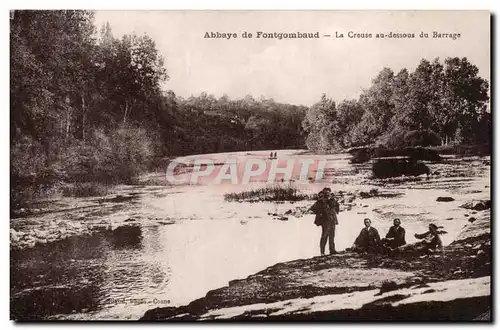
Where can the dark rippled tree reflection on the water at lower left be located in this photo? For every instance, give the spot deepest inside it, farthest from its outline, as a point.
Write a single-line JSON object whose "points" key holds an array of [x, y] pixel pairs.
{"points": [[84, 274]]}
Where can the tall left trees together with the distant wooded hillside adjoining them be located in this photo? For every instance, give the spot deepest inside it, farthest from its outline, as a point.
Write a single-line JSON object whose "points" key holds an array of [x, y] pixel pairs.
{"points": [[88, 106]]}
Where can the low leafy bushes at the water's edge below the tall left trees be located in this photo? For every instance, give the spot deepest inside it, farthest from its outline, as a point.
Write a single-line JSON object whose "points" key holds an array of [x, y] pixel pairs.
{"points": [[82, 168]]}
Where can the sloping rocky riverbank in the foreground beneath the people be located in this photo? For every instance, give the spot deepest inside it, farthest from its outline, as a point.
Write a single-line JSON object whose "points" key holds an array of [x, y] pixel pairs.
{"points": [[451, 285]]}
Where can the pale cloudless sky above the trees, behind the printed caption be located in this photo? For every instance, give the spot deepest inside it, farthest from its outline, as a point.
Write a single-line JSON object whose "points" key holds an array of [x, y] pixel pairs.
{"points": [[299, 71]]}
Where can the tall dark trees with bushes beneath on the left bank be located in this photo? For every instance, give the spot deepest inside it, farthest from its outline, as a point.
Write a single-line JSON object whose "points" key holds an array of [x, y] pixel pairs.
{"points": [[84, 104]]}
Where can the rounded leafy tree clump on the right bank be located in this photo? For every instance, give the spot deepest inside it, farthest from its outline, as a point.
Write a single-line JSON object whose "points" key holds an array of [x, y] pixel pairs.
{"points": [[436, 104]]}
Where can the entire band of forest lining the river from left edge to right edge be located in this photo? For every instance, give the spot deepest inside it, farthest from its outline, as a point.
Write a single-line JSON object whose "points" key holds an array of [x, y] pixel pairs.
{"points": [[86, 106]]}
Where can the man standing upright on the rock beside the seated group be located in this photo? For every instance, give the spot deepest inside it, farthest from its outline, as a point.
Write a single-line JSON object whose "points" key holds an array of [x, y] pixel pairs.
{"points": [[326, 217]]}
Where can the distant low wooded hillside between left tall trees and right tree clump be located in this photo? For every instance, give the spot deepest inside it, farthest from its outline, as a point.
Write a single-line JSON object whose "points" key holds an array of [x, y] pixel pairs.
{"points": [[204, 124]]}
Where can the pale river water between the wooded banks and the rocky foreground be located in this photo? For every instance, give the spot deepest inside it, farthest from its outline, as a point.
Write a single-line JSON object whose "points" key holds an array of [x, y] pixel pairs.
{"points": [[183, 241]]}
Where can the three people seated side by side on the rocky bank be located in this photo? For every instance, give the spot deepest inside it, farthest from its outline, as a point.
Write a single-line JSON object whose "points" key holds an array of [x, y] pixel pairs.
{"points": [[369, 240]]}
